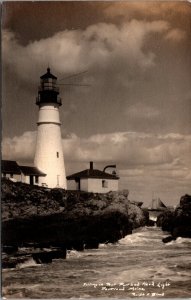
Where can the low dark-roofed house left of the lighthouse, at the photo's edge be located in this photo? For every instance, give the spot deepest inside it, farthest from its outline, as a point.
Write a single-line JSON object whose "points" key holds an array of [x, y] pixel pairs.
{"points": [[27, 174]]}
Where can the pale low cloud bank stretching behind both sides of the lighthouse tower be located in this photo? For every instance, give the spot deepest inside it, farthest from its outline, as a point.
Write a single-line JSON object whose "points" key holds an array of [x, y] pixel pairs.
{"points": [[124, 148]]}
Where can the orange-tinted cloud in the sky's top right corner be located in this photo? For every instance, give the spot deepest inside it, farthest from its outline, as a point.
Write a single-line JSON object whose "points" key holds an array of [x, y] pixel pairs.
{"points": [[171, 12]]}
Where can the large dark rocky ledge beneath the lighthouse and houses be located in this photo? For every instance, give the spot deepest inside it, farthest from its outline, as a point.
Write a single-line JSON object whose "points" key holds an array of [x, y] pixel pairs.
{"points": [[44, 217]]}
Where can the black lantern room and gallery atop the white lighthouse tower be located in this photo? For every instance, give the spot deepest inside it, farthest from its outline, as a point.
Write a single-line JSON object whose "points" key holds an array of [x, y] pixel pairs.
{"points": [[48, 90]]}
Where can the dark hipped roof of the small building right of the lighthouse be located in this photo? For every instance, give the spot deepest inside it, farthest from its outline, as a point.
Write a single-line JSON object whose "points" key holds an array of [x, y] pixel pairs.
{"points": [[88, 173]]}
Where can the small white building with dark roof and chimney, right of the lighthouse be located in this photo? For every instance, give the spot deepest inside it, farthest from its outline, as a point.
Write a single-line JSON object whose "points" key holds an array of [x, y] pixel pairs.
{"points": [[93, 180]]}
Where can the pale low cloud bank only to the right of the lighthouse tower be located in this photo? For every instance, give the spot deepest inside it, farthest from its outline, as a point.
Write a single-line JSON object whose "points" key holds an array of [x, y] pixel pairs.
{"points": [[131, 148]]}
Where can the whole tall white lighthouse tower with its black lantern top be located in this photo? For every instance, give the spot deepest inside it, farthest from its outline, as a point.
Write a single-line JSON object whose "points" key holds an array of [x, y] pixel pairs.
{"points": [[49, 153]]}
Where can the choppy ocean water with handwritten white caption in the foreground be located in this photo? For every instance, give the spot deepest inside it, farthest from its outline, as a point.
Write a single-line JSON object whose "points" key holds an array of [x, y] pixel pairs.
{"points": [[138, 266]]}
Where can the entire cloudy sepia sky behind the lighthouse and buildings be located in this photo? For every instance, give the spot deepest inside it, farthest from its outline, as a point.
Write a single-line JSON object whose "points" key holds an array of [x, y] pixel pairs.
{"points": [[135, 111]]}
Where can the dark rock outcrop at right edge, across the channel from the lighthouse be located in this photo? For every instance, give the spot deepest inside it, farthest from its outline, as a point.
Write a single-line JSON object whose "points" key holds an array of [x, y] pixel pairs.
{"points": [[178, 223]]}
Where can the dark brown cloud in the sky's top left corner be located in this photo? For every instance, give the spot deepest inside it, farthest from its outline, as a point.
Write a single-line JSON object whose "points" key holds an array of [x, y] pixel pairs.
{"points": [[41, 19]]}
